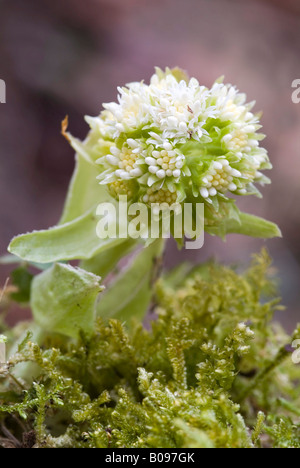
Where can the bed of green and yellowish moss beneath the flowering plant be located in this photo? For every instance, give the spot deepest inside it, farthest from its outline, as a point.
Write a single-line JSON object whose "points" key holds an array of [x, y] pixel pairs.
{"points": [[212, 370]]}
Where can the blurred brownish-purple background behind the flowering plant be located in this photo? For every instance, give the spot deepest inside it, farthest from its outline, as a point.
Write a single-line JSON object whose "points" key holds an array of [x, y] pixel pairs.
{"points": [[67, 57]]}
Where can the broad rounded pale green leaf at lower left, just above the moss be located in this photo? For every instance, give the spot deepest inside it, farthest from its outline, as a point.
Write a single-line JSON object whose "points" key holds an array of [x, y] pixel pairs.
{"points": [[63, 300]]}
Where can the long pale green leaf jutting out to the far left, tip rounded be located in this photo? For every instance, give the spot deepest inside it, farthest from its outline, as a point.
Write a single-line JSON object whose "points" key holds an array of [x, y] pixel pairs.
{"points": [[74, 240]]}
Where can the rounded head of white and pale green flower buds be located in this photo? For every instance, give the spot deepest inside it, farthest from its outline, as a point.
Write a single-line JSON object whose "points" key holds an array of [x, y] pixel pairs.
{"points": [[176, 137]]}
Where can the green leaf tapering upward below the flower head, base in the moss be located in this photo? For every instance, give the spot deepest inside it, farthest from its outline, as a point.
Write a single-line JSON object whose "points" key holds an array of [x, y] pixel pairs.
{"points": [[130, 295]]}
